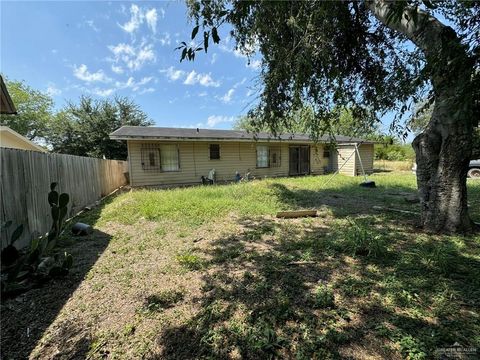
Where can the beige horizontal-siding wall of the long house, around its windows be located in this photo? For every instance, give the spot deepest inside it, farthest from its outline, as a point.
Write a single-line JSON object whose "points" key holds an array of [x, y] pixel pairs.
{"points": [[195, 162]]}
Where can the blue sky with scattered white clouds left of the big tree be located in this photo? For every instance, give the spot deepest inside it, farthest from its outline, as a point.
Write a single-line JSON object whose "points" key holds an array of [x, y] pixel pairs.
{"points": [[106, 48]]}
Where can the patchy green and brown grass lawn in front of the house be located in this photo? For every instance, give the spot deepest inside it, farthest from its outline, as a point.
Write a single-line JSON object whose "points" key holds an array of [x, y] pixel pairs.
{"points": [[209, 272]]}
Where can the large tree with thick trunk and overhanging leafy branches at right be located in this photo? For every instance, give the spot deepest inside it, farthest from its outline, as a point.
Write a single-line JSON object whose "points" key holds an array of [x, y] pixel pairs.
{"points": [[377, 54]]}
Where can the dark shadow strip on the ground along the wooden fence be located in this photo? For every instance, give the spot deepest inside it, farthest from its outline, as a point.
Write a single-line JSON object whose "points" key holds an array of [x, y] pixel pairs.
{"points": [[26, 317]]}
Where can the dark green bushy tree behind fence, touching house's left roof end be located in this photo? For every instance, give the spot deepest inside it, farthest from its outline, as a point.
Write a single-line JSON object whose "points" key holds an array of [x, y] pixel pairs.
{"points": [[83, 129]]}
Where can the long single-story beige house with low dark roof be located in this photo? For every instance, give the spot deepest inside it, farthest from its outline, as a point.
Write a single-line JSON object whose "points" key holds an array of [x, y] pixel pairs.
{"points": [[172, 156]]}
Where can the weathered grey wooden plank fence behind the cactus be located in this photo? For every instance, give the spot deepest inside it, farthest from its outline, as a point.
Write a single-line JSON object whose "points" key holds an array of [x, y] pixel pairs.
{"points": [[25, 183]]}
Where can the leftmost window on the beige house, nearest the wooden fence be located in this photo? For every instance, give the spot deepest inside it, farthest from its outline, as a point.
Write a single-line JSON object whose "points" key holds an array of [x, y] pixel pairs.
{"points": [[160, 157]]}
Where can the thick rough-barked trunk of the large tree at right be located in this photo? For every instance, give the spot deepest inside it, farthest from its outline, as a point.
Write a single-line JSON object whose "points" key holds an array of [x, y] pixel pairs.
{"points": [[444, 148]]}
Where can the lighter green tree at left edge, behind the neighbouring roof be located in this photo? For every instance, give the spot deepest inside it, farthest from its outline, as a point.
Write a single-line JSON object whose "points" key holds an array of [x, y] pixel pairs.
{"points": [[34, 110]]}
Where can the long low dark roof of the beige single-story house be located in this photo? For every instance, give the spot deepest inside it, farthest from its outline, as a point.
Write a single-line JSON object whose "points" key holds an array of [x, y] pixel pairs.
{"points": [[181, 134]]}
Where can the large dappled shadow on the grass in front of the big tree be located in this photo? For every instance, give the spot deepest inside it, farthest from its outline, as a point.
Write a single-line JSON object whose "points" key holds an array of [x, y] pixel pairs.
{"points": [[263, 291]]}
